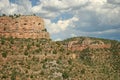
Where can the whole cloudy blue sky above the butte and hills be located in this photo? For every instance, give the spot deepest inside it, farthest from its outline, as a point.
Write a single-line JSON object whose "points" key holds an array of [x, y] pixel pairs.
{"points": [[71, 18]]}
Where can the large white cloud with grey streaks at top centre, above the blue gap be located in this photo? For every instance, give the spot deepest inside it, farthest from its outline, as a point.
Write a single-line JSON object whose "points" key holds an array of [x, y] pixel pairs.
{"points": [[53, 8]]}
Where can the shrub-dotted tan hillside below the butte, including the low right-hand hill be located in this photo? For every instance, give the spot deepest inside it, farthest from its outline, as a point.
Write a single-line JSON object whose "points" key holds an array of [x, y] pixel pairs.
{"points": [[79, 58]]}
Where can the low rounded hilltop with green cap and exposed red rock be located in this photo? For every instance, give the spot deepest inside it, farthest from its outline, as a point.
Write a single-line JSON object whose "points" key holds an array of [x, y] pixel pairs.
{"points": [[81, 43]]}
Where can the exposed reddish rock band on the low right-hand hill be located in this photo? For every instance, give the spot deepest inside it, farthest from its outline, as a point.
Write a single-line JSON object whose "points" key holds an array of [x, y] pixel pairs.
{"points": [[86, 43]]}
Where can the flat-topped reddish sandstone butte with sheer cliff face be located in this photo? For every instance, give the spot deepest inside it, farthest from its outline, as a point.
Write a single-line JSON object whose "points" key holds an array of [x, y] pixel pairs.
{"points": [[23, 27]]}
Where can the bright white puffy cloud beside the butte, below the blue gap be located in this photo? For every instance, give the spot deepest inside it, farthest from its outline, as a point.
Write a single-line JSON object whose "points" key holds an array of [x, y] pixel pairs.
{"points": [[61, 25]]}
